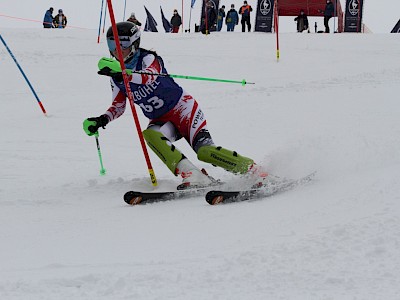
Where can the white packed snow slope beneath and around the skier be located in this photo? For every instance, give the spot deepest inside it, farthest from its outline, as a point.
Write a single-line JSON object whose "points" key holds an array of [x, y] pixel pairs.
{"points": [[331, 105]]}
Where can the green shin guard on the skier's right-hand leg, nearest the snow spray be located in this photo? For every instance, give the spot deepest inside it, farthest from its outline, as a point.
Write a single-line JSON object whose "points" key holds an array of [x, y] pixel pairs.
{"points": [[224, 158]]}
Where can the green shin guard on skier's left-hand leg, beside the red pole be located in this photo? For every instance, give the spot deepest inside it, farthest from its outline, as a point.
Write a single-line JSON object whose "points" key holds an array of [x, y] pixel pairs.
{"points": [[164, 149]]}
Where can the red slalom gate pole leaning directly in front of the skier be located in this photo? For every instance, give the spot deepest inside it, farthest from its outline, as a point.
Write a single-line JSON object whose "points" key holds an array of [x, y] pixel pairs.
{"points": [[130, 94]]}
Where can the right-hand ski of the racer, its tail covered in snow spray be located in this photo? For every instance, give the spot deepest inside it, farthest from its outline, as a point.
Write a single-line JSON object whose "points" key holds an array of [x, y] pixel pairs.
{"points": [[215, 197]]}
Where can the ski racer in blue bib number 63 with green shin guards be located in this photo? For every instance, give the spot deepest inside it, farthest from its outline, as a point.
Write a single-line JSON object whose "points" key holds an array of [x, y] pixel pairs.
{"points": [[172, 112]]}
